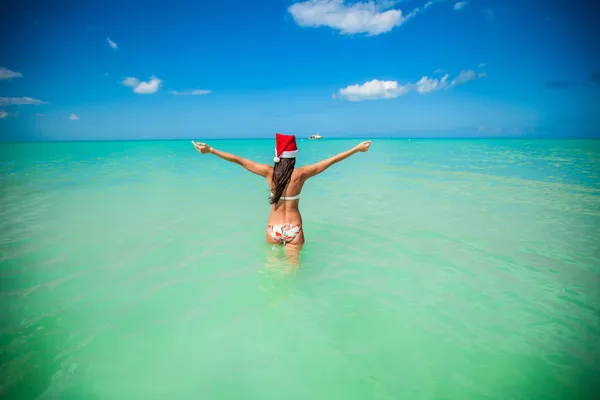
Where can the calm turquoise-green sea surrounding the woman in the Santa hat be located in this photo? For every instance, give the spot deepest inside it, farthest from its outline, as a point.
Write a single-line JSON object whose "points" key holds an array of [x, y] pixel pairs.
{"points": [[433, 269]]}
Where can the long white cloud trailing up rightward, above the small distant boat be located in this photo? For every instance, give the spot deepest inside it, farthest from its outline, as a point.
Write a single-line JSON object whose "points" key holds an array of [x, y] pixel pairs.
{"points": [[380, 90]]}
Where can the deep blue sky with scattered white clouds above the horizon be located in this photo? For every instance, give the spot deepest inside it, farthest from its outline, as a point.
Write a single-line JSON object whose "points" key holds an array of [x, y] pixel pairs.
{"points": [[181, 69]]}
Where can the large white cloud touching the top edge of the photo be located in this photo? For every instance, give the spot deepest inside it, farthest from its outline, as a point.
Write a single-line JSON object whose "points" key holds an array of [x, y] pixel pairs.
{"points": [[367, 17]]}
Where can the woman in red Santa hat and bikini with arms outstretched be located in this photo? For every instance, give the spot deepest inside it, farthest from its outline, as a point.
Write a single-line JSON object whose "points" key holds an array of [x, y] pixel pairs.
{"points": [[286, 181]]}
